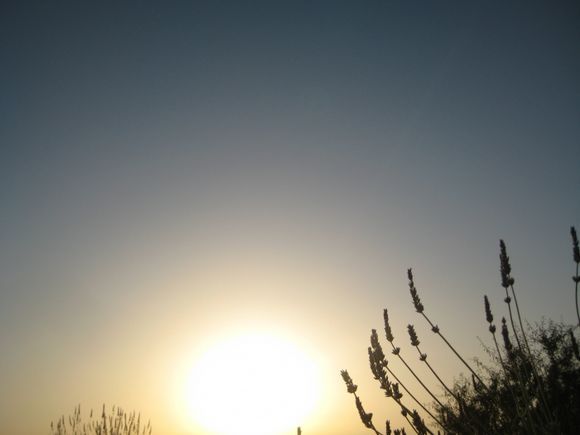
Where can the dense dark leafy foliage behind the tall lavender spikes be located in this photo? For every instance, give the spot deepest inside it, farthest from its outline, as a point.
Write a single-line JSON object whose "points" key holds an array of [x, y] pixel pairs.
{"points": [[512, 402]]}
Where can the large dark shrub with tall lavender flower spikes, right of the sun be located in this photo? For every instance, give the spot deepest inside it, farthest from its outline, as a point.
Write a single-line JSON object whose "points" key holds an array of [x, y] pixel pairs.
{"points": [[531, 387]]}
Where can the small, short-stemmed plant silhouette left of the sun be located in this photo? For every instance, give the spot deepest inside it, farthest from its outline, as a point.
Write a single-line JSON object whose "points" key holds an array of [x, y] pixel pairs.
{"points": [[117, 422]]}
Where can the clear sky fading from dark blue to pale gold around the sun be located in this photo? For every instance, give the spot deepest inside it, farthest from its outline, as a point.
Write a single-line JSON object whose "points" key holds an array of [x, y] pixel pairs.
{"points": [[173, 173]]}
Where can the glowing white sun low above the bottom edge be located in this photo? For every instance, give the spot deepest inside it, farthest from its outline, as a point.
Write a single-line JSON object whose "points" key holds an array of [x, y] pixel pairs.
{"points": [[254, 384]]}
